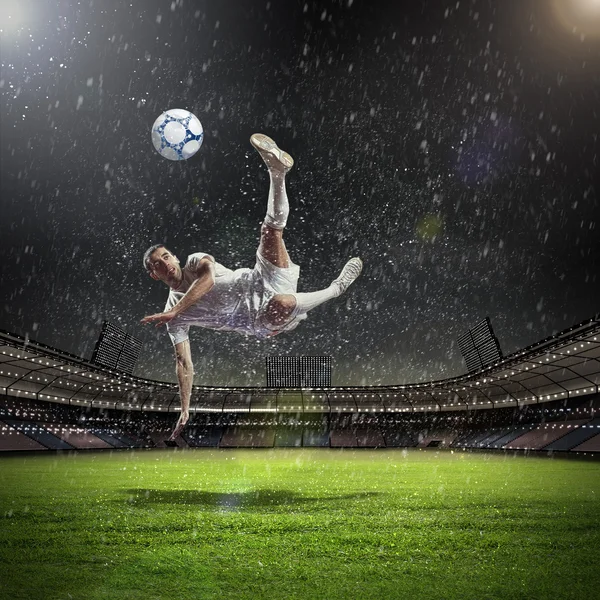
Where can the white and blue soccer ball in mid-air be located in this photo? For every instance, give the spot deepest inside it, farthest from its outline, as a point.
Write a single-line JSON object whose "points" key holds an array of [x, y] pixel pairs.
{"points": [[177, 134]]}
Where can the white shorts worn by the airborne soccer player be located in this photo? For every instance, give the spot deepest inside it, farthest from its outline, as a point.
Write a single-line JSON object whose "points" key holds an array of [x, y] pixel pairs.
{"points": [[276, 280]]}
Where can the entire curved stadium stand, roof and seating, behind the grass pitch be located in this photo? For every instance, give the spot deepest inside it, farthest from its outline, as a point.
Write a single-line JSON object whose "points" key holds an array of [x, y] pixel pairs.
{"points": [[543, 398]]}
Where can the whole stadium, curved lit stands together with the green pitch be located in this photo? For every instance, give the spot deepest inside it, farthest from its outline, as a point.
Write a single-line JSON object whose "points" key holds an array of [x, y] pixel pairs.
{"points": [[459, 487]]}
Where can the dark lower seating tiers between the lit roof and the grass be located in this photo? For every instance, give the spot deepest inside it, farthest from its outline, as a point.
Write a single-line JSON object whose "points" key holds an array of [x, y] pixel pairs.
{"points": [[561, 426]]}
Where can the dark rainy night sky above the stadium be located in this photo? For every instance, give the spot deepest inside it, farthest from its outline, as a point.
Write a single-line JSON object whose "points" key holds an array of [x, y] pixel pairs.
{"points": [[452, 145]]}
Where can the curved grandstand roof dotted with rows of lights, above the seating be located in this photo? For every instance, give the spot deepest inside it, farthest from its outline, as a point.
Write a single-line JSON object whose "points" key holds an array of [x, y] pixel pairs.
{"points": [[562, 366]]}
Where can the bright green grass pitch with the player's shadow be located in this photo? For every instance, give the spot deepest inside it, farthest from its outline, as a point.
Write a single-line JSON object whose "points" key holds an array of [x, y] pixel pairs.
{"points": [[298, 523]]}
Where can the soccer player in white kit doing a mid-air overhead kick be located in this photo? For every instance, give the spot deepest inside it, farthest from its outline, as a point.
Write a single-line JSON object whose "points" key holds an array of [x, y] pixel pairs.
{"points": [[262, 301]]}
